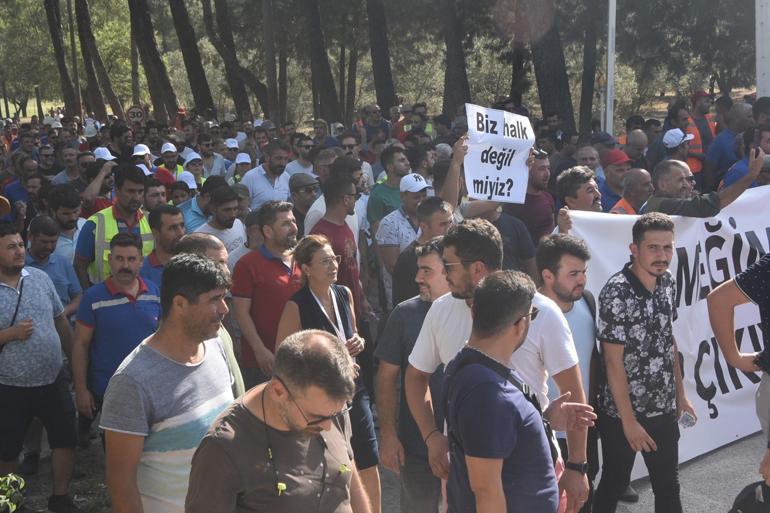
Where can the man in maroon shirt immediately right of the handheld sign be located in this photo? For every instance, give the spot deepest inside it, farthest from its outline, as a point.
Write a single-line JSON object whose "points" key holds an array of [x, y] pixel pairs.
{"points": [[537, 211]]}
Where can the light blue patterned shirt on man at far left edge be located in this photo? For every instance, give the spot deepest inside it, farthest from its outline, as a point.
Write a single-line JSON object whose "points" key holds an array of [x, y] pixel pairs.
{"points": [[36, 361]]}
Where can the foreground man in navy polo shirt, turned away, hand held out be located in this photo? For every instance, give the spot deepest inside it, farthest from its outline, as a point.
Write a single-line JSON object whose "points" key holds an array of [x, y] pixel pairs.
{"points": [[501, 456]]}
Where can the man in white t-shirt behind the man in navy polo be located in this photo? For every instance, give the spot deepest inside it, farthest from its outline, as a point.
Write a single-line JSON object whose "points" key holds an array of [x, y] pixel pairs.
{"points": [[472, 250]]}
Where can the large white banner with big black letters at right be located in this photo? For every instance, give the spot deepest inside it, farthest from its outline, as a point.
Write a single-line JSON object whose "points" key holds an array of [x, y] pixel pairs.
{"points": [[708, 253]]}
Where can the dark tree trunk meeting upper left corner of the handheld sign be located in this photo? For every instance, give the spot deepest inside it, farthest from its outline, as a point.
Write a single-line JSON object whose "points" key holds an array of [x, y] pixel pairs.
{"points": [[456, 88]]}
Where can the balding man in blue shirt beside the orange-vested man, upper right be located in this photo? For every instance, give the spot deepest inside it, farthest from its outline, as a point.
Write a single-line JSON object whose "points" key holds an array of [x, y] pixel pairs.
{"points": [[721, 155]]}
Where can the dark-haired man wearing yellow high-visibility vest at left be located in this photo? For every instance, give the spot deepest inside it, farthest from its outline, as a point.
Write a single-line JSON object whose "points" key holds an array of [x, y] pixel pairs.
{"points": [[91, 255]]}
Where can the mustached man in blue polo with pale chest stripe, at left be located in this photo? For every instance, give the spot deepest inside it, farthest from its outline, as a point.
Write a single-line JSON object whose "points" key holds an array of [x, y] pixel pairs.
{"points": [[114, 317]]}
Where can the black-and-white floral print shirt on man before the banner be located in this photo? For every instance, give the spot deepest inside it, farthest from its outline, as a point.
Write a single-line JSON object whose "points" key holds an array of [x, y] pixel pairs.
{"points": [[642, 322]]}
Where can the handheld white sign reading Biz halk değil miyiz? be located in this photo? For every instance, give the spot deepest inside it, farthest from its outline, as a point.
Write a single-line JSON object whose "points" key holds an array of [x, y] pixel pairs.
{"points": [[496, 162]]}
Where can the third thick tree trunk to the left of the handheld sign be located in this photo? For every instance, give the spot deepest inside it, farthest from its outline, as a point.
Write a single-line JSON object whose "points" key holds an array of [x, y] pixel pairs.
{"points": [[319, 63]]}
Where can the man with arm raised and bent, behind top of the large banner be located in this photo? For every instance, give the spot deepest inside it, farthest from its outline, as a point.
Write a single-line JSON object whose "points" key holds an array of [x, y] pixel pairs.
{"points": [[675, 194]]}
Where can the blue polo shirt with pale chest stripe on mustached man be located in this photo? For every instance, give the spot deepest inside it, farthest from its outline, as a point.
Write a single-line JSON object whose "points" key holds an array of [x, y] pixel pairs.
{"points": [[120, 323]]}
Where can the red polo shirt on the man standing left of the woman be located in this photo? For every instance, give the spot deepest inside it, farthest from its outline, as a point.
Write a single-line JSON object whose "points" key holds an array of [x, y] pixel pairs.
{"points": [[269, 283]]}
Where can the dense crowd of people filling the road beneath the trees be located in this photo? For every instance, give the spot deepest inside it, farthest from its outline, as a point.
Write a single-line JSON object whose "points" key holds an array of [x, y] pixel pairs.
{"points": [[252, 318]]}
